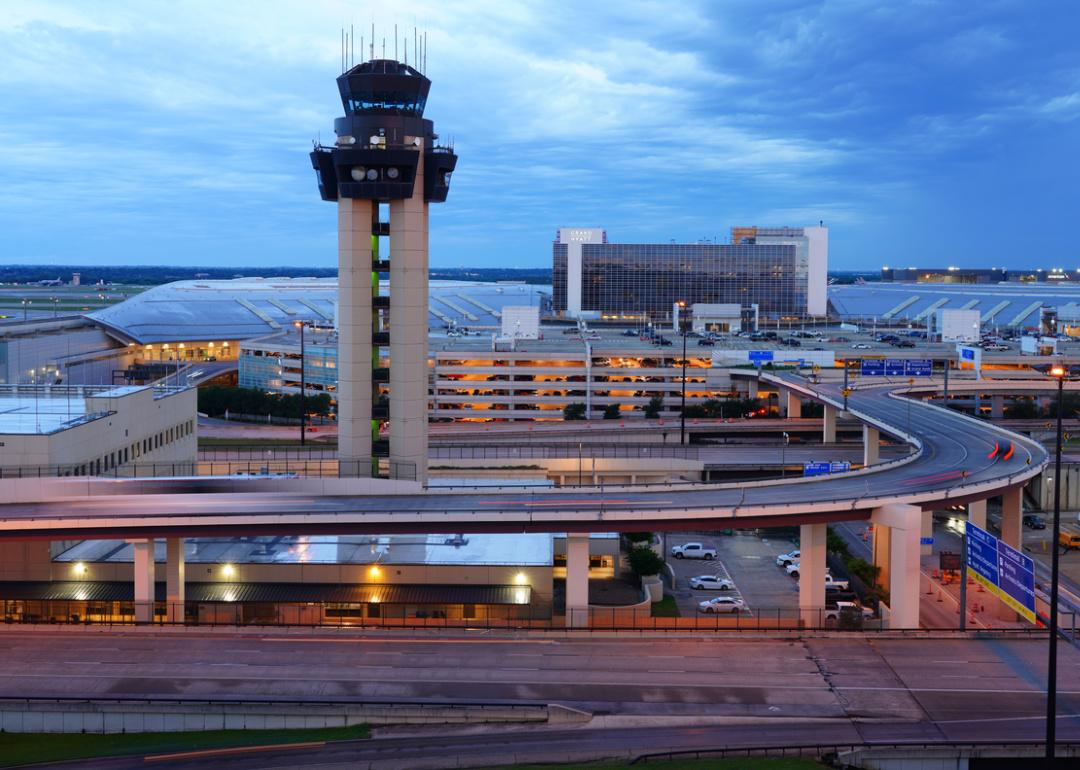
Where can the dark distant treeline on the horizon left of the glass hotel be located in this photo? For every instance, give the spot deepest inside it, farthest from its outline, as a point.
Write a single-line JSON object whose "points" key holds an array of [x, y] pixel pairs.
{"points": [[153, 276]]}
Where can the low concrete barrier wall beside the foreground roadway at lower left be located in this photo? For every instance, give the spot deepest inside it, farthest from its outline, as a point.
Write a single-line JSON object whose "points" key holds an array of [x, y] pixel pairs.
{"points": [[97, 717]]}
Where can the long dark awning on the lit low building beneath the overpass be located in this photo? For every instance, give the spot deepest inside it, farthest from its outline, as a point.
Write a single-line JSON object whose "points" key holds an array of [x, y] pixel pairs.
{"points": [[361, 593]]}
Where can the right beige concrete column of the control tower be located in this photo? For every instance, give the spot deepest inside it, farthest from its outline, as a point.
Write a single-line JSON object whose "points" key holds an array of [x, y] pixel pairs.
{"points": [[409, 333]]}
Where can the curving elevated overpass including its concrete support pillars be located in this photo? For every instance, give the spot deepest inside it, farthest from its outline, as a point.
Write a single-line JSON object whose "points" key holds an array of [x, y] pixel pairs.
{"points": [[950, 467]]}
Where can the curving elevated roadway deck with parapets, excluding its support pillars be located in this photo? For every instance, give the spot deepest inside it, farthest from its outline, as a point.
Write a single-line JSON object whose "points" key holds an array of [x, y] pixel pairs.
{"points": [[951, 467]]}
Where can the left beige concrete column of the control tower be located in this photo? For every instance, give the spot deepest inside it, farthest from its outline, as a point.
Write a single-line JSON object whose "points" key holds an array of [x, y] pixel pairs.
{"points": [[356, 218]]}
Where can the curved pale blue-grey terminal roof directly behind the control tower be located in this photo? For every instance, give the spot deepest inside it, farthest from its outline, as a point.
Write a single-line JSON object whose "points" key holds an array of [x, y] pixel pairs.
{"points": [[253, 307]]}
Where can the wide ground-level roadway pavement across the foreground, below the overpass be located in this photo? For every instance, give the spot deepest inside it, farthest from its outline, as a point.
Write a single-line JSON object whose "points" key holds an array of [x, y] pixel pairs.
{"points": [[655, 692]]}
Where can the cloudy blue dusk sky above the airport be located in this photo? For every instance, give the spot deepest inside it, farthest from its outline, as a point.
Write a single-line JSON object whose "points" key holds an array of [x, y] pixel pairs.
{"points": [[923, 133]]}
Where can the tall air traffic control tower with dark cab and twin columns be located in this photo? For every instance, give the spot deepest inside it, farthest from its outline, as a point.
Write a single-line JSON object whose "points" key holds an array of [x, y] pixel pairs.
{"points": [[386, 161]]}
